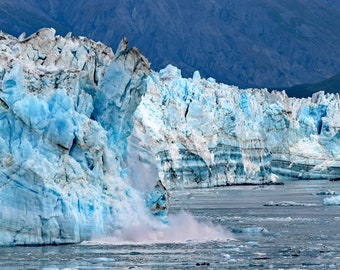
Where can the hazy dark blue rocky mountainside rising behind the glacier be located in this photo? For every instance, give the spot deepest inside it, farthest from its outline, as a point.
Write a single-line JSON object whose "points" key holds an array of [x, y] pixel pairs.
{"points": [[247, 43]]}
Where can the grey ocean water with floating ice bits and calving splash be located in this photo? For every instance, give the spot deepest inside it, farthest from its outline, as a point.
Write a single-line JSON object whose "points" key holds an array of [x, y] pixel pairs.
{"points": [[239, 227]]}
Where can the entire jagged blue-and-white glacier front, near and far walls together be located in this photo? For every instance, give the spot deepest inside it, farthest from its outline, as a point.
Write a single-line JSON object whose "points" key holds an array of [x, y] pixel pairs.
{"points": [[85, 134]]}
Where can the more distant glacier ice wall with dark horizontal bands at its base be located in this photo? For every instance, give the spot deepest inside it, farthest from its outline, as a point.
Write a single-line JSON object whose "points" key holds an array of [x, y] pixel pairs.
{"points": [[201, 133]]}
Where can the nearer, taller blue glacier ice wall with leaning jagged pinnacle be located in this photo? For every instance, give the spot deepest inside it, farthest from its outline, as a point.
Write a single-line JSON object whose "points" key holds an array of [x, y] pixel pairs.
{"points": [[66, 109]]}
